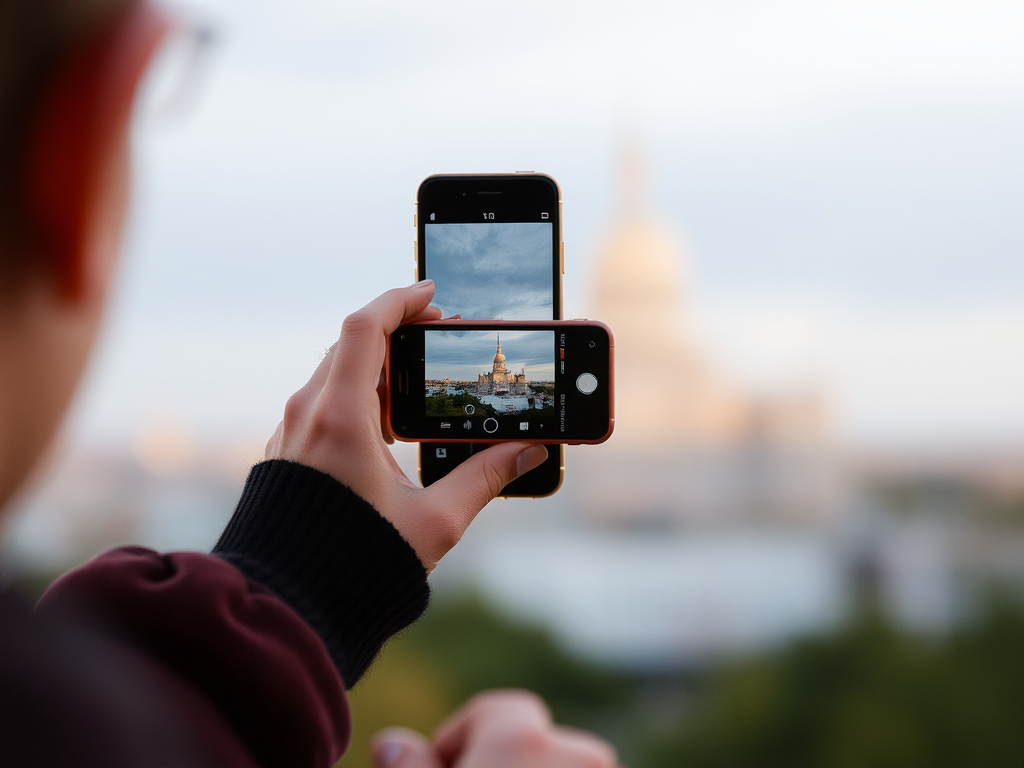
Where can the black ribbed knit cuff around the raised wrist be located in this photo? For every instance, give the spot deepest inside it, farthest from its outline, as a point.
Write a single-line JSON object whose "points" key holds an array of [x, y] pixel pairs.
{"points": [[331, 557]]}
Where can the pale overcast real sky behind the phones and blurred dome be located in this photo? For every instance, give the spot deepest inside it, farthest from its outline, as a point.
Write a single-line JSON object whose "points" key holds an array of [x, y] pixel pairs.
{"points": [[847, 179]]}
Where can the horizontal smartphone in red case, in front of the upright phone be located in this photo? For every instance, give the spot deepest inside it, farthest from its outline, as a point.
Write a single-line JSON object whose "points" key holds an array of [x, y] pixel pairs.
{"points": [[464, 381]]}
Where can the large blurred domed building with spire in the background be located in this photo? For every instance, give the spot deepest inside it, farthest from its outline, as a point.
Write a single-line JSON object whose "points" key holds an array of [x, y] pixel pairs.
{"points": [[689, 446]]}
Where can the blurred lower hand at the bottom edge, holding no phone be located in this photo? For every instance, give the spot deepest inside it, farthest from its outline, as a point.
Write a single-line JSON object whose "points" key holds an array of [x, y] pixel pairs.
{"points": [[496, 730]]}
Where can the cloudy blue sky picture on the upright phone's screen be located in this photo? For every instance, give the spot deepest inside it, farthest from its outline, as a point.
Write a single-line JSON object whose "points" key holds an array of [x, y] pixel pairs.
{"points": [[492, 271]]}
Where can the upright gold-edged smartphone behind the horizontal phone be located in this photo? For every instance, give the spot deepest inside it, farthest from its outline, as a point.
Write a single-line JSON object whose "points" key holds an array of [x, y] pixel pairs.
{"points": [[493, 245]]}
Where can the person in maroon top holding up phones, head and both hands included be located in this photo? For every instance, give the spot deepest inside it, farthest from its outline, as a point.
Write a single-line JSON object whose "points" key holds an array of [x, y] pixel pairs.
{"points": [[241, 657]]}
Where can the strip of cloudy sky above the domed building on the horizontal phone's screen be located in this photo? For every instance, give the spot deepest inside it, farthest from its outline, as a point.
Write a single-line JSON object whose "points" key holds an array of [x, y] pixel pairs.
{"points": [[463, 357]]}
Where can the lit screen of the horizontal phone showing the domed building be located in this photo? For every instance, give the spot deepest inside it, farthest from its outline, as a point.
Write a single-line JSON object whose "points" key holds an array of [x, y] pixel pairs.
{"points": [[486, 381]]}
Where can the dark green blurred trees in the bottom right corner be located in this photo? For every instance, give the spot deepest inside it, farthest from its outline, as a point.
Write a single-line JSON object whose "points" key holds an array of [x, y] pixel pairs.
{"points": [[869, 696]]}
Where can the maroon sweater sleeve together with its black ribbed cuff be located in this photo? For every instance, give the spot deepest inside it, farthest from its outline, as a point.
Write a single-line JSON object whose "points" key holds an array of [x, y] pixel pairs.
{"points": [[305, 587]]}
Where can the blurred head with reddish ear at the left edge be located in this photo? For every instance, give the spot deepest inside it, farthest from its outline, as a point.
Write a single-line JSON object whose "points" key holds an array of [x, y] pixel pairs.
{"points": [[68, 76]]}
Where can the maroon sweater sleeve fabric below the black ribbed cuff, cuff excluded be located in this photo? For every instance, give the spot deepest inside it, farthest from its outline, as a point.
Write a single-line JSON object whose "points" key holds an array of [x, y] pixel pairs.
{"points": [[251, 660]]}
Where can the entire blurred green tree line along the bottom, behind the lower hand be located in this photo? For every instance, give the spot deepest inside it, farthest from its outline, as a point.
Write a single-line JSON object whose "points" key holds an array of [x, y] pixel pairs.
{"points": [[867, 696]]}
